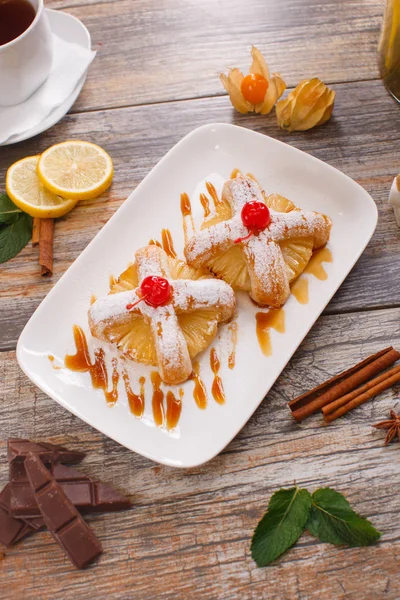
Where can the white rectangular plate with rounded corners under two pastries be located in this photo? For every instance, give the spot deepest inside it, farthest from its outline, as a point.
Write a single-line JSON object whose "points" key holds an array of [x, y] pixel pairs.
{"points": [[210, 152]]}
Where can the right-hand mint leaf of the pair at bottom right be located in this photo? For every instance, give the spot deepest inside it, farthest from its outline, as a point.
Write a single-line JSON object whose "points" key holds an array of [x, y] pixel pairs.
{"points": [[333, 520]]}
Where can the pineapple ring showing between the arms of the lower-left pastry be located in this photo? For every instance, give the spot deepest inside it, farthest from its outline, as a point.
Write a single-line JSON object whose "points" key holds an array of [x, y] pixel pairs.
{"points": [[134, 337]]}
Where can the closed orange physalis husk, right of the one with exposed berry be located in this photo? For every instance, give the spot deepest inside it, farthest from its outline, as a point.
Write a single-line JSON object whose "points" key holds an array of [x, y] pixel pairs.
{"points": [[308, 105]]}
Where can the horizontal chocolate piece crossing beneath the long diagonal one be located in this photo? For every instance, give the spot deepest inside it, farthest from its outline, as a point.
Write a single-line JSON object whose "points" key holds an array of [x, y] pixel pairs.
{"points": [[86, 494]]}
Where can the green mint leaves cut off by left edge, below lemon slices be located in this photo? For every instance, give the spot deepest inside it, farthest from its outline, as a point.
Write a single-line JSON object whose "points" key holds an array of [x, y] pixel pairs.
{"points": [[15, 229]]}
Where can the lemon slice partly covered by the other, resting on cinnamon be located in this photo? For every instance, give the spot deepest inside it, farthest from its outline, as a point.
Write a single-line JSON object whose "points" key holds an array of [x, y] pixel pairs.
{"points": [[28, 193]]}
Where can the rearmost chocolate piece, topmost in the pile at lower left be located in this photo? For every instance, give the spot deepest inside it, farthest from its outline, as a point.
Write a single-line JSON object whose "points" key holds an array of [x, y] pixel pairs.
{"points": [[18, 449]]}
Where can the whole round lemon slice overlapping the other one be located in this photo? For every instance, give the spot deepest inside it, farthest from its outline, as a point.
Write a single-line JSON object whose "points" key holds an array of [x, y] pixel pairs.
{"points": [[76, 169]]}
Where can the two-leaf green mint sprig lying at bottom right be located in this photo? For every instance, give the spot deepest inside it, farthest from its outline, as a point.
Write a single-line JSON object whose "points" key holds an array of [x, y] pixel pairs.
{"points": [[326, 514]]}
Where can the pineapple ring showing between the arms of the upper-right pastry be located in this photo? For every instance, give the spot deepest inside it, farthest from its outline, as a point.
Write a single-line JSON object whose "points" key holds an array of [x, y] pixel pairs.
{"points": [[231, 265]]}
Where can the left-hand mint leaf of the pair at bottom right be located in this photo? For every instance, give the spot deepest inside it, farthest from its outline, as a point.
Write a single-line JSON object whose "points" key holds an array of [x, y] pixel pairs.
{"points": [[282, 524]]}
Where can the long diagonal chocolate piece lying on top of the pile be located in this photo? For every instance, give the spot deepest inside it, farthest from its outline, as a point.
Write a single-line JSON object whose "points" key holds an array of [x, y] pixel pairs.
{"points": [[60, 516]]}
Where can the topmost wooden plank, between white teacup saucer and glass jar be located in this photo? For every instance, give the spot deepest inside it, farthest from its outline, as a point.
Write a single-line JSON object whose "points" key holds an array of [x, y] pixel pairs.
{"points": [[174, 49]]}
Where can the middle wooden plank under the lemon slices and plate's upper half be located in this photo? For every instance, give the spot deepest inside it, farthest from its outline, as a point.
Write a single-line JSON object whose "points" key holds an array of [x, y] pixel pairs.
{"points": [[365, 146]]}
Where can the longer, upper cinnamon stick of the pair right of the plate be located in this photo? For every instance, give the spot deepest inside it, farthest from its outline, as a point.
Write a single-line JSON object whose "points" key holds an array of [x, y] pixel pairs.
{"points": [[345, 382]]}
